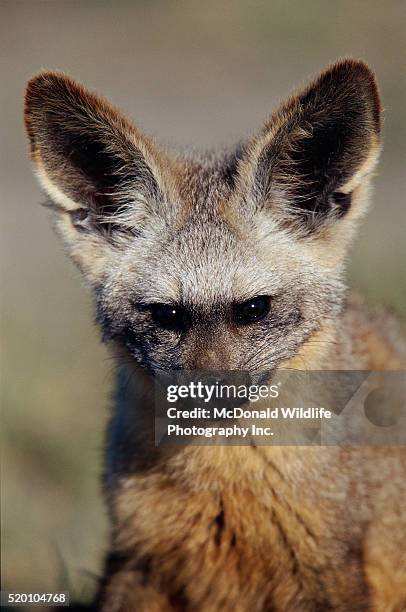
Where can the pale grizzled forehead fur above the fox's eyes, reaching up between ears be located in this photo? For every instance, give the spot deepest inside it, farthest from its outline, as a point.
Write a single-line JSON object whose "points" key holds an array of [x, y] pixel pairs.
{"points": [[209, 252]]}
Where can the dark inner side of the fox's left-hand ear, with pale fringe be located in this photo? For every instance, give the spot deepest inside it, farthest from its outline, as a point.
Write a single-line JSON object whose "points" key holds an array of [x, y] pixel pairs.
{"points": [[86, 151]]}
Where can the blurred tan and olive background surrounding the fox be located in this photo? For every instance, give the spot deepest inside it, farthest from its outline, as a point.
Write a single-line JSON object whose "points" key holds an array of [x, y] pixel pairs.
{"points": [[192, 73]]}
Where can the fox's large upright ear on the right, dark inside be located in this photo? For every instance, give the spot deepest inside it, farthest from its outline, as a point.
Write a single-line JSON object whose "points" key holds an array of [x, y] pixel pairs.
{"points": [[312, 159]]}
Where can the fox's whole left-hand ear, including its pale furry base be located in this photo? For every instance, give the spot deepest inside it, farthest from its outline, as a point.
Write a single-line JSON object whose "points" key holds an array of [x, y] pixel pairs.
{"points": [[100, 172]]}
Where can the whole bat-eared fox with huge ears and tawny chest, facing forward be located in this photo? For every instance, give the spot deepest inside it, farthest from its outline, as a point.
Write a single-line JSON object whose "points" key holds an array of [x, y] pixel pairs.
{"points": [[231, 261]]}
